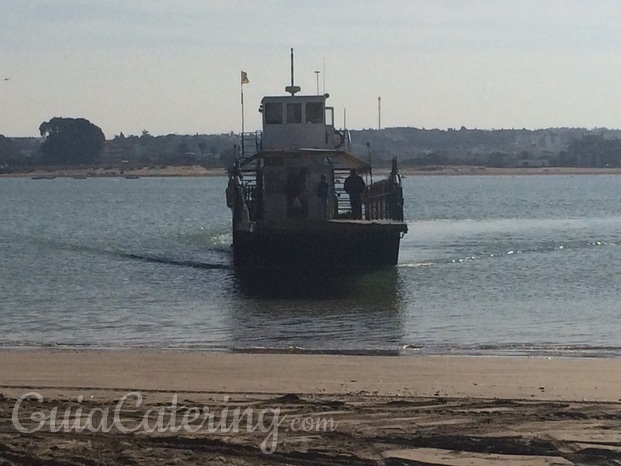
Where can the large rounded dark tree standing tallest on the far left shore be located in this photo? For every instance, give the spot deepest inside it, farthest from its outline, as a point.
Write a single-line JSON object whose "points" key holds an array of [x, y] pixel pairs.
{"points": [[70, 141]]}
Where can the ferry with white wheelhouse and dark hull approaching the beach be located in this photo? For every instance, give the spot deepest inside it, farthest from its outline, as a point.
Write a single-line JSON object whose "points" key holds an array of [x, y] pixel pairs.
{"points": [[280, 221]]}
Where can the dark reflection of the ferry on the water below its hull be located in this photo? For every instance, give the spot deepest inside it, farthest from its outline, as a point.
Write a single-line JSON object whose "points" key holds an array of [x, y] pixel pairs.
{"points": [[352, 314]]}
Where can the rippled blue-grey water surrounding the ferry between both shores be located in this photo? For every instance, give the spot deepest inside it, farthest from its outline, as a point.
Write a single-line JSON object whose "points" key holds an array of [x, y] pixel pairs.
{"points": [[517, 265]]}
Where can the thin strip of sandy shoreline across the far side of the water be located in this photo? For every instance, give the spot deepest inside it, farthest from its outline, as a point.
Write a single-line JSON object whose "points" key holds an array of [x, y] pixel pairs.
{"points": [[198, 171]]}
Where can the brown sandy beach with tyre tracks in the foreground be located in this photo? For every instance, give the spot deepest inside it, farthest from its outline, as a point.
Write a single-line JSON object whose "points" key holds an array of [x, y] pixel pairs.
{"points": [[330, 410]]}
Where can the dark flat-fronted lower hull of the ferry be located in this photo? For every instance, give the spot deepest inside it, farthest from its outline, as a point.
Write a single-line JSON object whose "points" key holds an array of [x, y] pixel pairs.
{"points": [[320, 246]]}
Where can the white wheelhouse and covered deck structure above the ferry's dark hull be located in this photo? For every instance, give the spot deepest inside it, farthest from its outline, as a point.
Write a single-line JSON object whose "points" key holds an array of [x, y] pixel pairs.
{"points": [[298, 152]]}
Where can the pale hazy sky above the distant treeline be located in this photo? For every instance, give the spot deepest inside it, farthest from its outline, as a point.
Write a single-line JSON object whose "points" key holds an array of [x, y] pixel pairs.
{"points": [[173, 66]]}
